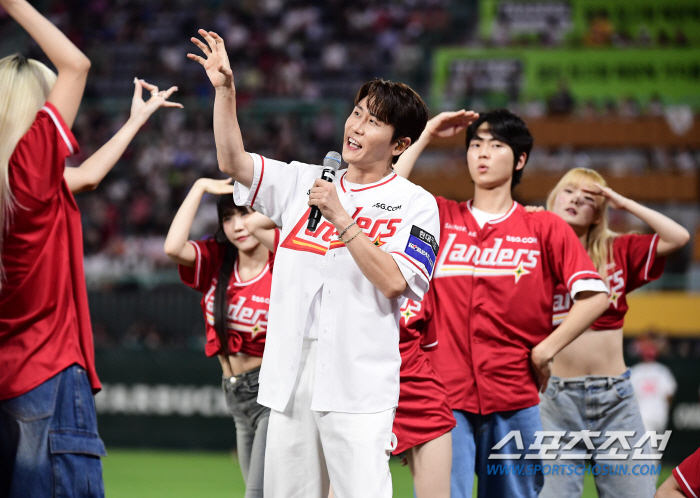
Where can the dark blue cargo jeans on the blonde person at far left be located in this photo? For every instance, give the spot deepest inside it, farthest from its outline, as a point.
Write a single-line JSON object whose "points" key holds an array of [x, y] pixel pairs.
{"points": [[49, 445]]}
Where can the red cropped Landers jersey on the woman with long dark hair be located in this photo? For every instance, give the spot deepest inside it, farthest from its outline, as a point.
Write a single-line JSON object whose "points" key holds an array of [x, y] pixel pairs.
{"points": [[248, 302]]}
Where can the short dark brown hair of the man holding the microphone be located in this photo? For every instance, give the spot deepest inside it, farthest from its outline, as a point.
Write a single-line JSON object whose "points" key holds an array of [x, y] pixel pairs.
{"points": [[396, 104]]}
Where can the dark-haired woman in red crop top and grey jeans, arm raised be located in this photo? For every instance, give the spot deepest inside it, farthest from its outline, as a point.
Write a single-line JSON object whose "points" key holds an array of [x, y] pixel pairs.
{"points": [[233, 271]]}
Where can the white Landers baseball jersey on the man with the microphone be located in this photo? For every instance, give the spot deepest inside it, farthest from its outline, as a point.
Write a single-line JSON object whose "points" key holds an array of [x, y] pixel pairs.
{"points": [[358, 328]]}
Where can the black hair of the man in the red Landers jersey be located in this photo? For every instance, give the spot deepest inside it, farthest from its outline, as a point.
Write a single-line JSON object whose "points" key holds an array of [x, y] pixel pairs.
{"points": [[509, 129]]}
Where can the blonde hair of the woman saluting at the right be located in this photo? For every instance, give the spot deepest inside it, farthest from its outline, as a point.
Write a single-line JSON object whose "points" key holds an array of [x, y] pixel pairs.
{"points": [[600, 237]]}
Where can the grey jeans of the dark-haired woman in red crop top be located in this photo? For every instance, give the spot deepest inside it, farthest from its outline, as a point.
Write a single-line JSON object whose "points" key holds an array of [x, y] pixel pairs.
{"points": [[251, 421]]}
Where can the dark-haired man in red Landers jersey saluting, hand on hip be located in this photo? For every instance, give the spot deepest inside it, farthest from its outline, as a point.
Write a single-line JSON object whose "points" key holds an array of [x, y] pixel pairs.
{"points": [[492, 296]]}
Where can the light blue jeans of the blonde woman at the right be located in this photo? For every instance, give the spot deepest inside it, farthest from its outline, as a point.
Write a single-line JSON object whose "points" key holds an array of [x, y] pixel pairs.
{"points": [[595, 403]]}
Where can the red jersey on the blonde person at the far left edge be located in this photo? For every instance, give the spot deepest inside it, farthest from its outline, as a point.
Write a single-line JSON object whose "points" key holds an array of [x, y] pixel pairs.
{"points": [[44, 317]]}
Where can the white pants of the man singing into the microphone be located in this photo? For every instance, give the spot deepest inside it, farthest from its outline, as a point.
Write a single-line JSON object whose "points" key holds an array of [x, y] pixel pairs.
{"points": [[308, 450]]}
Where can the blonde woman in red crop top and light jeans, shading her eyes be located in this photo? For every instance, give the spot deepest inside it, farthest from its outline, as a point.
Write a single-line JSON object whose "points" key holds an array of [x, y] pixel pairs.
{"points": [[590, 386]]}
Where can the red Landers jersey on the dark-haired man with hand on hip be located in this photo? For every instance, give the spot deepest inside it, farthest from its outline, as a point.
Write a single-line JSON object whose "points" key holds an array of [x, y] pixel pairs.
{"points": [[492, 291]]}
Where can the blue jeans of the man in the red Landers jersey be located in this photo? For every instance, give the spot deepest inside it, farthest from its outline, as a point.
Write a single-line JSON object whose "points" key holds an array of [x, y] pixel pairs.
{"points": [[473, 440]]}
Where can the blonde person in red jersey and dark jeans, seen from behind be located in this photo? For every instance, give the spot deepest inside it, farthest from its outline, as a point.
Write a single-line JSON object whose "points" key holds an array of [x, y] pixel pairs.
{"points": [[48, 375]]}
